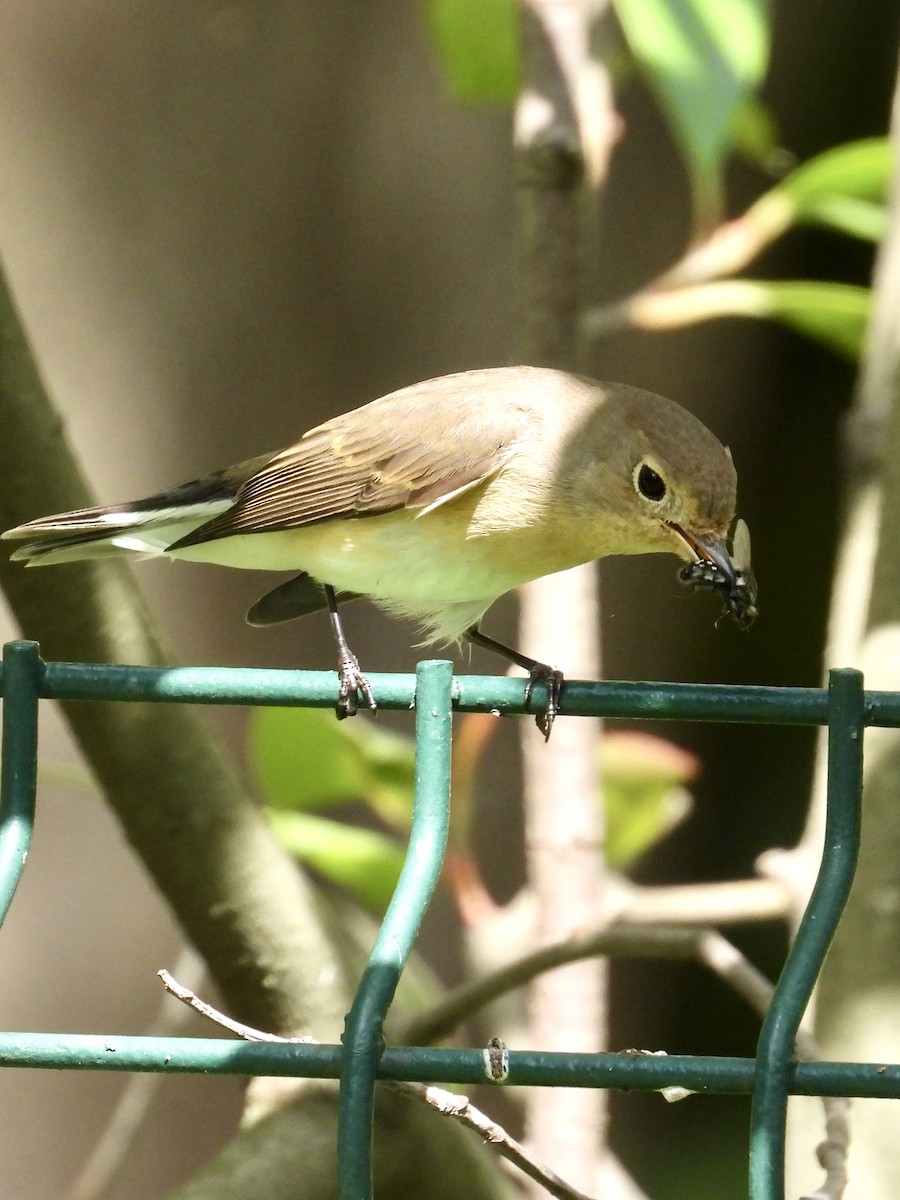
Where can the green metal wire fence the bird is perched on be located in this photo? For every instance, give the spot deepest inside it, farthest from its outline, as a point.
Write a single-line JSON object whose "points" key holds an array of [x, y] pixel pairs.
{"points": [[844, 707]]}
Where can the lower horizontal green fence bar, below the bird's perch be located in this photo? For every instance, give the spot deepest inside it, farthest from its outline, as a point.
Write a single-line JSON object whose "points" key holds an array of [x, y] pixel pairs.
{"points": [[622, 1072]]}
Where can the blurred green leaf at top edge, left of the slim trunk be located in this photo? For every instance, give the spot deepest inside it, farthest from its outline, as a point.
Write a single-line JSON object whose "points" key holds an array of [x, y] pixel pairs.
{"points": [[478, 46]]}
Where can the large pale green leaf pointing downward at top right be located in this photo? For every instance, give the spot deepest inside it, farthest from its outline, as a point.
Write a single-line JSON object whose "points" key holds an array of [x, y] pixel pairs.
{"points": [[703, 58]]}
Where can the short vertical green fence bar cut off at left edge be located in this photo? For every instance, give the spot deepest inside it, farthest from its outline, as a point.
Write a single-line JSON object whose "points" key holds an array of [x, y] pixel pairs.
{"points": [[19, 764]]}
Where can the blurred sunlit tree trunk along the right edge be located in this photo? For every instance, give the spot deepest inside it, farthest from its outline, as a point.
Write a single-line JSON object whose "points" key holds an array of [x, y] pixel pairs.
{"points": [[859, 999]]}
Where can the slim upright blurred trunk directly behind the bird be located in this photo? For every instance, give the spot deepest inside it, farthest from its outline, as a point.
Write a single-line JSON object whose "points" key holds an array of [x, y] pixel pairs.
{"points": [[563, 134]]}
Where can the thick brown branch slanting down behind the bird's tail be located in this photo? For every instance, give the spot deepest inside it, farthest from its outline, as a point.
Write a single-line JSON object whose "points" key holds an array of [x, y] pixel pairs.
{"points": [[236, 892]]}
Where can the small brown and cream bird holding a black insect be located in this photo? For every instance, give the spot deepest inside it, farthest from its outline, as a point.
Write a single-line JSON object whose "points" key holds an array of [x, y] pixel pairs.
{"points": [[437, 500]]}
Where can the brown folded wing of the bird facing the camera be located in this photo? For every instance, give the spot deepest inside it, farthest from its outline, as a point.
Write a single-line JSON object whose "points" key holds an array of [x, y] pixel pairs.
{"points": [[368, 463]]}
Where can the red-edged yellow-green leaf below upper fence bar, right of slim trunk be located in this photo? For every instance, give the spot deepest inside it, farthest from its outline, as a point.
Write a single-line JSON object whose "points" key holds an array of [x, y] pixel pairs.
{"points": [[644, 781]]}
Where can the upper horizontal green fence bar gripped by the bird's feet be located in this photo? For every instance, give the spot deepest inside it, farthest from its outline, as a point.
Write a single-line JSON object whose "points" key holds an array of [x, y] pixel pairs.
{"points": [[471, 694]]}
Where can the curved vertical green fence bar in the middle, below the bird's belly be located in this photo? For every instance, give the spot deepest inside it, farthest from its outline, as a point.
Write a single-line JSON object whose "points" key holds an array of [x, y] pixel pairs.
{"points": [[428, 842]]}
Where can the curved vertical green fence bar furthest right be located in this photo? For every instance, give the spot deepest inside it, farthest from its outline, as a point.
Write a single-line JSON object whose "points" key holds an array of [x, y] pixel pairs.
{"points": [[847, 722]]}
